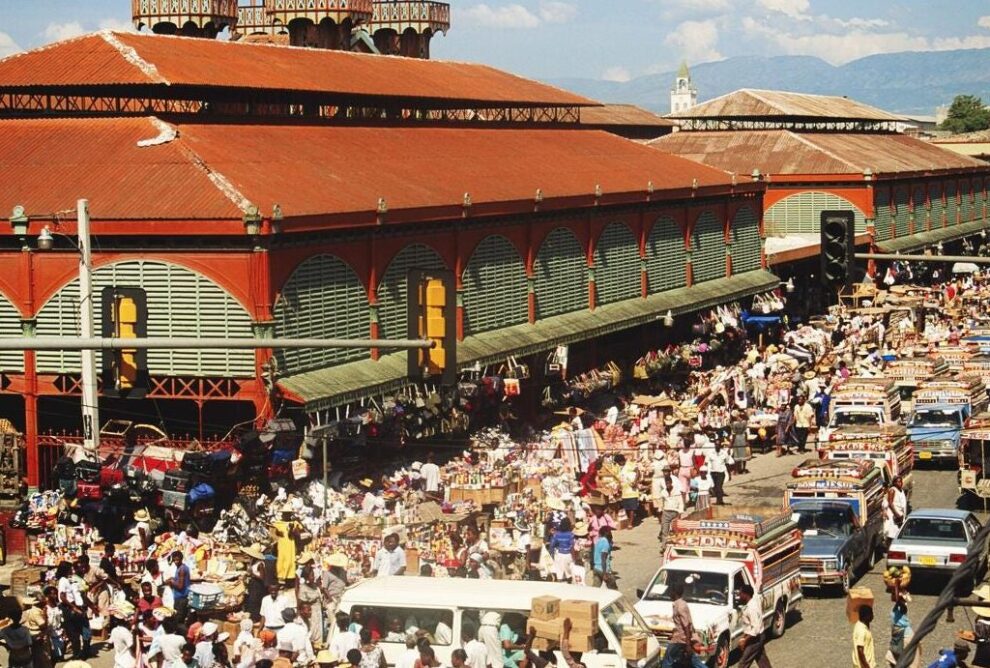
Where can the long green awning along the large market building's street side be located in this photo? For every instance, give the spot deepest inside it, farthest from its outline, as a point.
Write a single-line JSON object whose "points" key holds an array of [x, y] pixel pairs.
{"points": [[337, 385]]}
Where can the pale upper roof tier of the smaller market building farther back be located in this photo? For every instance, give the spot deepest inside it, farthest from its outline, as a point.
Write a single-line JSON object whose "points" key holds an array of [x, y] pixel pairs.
{"points": [[749, 103]]}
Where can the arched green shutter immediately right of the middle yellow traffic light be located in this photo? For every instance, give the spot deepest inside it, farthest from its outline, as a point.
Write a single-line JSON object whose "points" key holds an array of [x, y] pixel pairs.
{"points": [[495, 293]]}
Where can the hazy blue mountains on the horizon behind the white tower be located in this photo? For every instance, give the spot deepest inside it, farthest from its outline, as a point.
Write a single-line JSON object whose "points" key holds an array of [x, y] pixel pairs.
{"points": [[908, 83]]}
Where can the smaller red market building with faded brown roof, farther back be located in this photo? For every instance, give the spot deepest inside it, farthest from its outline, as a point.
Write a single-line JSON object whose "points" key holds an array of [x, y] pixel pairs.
{"points": [[818, 153]]}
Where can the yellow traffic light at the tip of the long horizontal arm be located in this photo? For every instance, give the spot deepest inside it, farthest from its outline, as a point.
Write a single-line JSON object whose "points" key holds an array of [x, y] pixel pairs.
{"points": [[432, 299]]}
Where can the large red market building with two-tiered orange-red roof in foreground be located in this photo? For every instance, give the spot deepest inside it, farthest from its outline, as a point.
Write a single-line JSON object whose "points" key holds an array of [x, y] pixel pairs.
{"points": [[288, 193]]}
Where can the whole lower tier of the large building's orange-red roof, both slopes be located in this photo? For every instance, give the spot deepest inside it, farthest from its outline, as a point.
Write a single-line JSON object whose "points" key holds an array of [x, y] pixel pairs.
{"points": [[315, 170]]}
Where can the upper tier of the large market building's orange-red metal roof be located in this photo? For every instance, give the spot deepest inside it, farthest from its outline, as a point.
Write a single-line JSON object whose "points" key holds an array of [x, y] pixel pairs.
{"points": [[108, 58]]}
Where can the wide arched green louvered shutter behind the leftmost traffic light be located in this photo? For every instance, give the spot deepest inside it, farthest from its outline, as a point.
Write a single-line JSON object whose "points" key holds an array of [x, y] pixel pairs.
{"points": [[181, 303]]}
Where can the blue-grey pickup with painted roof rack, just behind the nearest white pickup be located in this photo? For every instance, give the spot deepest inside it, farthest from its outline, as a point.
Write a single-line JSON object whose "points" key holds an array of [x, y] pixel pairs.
{"points": [[838, 505]]}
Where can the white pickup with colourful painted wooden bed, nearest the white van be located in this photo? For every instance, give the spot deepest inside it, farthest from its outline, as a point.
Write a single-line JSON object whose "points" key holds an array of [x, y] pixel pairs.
{"points": [[713, 555]]}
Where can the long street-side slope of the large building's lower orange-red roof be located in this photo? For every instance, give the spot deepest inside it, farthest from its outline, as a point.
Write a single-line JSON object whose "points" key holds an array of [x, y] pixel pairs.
{"points": [[340, 169]]}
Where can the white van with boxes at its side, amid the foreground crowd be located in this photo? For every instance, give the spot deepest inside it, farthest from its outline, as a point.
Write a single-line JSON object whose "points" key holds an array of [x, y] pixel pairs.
{"points": [[395, 604]]}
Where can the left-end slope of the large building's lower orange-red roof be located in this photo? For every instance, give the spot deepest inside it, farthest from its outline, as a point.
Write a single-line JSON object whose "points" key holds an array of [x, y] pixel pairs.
{"points": [[48, 164]]}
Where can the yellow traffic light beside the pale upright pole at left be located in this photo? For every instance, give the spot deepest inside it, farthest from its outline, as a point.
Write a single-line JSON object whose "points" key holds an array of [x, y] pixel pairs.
{"points": [[125, 316]]}
